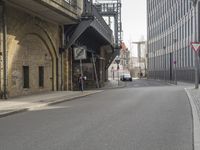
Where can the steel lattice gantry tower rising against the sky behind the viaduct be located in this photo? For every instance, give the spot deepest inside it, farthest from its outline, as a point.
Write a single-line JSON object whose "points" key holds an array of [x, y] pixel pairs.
{"points": [[112, 9]]}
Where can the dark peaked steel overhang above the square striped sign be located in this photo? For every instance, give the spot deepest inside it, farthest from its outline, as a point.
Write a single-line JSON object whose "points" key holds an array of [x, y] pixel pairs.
{"points": [[88, 29]]}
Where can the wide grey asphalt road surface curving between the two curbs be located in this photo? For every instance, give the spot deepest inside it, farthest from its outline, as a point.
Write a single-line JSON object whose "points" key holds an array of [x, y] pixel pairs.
{"points": [[141, 118]]}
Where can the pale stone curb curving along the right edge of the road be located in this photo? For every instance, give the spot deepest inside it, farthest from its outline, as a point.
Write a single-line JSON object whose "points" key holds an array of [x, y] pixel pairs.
{"points": [[196, 122]]}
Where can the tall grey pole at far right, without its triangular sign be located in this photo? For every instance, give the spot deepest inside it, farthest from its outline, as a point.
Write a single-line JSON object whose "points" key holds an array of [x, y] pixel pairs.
{"points": [[194, 2]]}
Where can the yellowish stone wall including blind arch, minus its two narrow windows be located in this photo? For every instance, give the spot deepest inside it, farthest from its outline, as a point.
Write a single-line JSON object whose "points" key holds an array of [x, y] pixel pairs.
{"points": [[31, 42]]}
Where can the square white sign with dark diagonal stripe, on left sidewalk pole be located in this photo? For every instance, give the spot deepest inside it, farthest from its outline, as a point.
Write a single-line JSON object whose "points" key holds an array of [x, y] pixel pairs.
{"points": [[80, 53]]}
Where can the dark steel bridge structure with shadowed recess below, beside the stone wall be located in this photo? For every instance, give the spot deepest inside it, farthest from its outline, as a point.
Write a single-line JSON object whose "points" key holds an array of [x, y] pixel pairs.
{"points": [[94, 33]]}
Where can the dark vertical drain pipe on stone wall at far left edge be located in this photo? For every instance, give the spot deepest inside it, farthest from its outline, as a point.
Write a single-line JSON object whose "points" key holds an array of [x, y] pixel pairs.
{"points": [[4, 28]]}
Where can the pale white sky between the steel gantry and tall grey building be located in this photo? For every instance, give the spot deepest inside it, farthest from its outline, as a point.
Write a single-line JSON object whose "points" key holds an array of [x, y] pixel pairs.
{"points": [[133, 22]]}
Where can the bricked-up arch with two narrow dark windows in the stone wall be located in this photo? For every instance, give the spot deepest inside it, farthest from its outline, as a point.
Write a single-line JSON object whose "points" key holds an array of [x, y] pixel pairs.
{"points": [[31, 68]]}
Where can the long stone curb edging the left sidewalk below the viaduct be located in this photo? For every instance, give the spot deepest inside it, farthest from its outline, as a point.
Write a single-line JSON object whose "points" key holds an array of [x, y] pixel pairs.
{"points": [[28, 108]]}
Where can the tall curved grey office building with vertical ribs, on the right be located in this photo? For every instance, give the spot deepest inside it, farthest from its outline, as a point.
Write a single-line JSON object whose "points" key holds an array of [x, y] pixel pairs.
{"points": [[169, 34]]}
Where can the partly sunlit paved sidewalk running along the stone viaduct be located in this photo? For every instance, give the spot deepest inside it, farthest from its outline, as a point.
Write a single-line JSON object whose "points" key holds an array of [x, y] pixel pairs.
{"points": [[31, 102]]}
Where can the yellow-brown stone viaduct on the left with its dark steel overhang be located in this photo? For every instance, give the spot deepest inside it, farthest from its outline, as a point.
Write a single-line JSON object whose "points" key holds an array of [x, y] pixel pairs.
{"points": [[37, 42]]}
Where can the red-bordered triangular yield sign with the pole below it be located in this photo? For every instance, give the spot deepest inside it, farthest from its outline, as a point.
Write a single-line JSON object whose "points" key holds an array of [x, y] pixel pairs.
{"points": [[195, 47]]}
